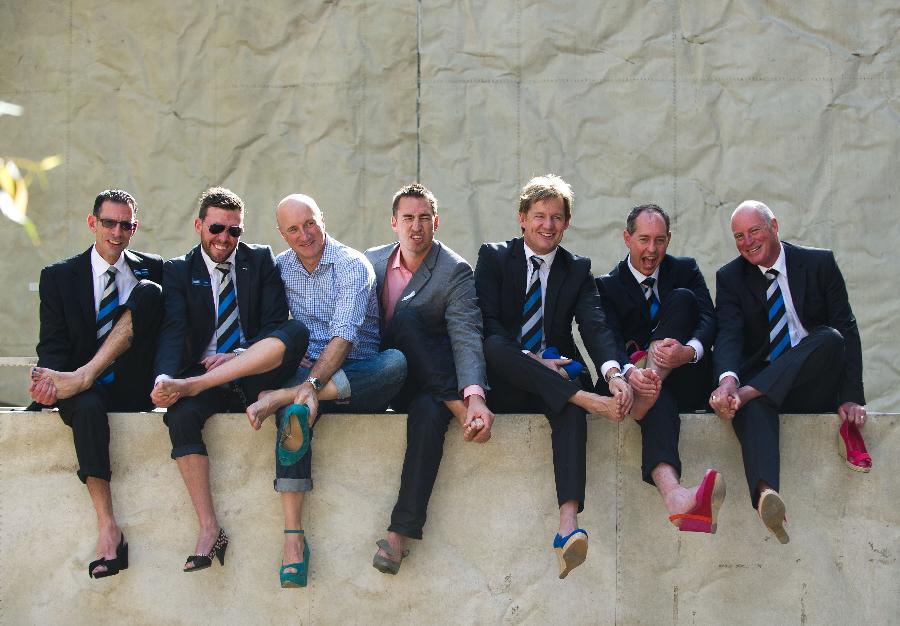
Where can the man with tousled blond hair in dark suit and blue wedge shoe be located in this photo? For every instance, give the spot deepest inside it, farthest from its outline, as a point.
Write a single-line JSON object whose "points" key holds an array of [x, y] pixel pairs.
{"points": [[529, 290]]}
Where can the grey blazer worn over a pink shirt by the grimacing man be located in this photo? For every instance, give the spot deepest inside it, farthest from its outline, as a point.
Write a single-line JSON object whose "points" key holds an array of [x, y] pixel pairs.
{"points": [[442, 291]]}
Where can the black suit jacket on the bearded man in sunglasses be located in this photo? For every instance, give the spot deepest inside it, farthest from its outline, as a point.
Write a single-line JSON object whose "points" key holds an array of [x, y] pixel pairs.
{"points": [[190, 320]]}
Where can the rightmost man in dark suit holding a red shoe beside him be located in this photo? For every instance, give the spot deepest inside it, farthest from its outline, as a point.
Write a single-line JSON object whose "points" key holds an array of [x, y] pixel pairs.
{"points": [[787, 341]]}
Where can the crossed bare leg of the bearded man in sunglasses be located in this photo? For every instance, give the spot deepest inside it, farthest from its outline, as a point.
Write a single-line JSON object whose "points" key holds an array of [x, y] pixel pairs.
{"points": [[263, 356]]}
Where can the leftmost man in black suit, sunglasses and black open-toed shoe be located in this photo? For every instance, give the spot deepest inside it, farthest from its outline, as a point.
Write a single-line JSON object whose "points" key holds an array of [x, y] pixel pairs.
{"points": [[99, 317]]}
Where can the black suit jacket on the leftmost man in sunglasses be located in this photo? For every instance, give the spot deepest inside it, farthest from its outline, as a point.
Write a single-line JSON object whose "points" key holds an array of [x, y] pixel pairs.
{"points": [[68, 335]]}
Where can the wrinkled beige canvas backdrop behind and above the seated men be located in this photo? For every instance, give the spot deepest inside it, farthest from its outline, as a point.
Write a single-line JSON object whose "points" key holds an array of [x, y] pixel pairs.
{"points": [[692, 105]]}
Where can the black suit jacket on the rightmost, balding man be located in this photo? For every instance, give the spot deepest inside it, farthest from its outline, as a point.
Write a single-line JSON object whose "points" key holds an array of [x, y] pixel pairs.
{"points": [[819, 295]]}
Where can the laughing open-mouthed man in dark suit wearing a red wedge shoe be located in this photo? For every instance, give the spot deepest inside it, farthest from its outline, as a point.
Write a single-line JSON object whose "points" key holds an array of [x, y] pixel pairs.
{"points": [[659, 304]]}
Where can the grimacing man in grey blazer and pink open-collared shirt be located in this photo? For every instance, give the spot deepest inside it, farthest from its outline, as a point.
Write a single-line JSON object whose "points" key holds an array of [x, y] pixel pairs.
{"points": [[426, 295]]}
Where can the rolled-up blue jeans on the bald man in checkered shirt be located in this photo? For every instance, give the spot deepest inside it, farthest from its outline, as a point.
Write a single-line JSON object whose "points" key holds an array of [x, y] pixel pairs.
{"points": [[365, 386]]}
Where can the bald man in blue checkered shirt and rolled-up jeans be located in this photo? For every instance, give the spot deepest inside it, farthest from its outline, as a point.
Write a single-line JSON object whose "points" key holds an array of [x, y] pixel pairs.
{"points": [[331, 289]]}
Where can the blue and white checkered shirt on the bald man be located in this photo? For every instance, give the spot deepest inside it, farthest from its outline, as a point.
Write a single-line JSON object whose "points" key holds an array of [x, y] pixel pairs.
{"points": [[338, 299]]}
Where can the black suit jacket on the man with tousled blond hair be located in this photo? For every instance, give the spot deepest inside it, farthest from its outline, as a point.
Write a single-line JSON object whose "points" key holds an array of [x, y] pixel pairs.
{"points": [[571, 294]]}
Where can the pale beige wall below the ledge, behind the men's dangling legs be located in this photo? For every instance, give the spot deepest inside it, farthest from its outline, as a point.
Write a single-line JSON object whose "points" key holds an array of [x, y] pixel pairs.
{"points": [[486, 556]]}
